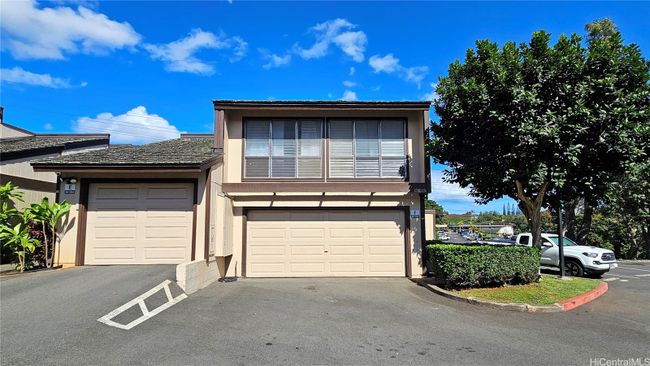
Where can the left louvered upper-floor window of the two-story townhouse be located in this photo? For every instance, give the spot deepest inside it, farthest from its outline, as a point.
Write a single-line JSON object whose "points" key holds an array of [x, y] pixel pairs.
{"points": [[283, 149]]}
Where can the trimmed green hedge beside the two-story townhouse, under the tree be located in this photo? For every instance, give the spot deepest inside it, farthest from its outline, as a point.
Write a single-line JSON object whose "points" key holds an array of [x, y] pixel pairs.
{"points": [[462, 266]]}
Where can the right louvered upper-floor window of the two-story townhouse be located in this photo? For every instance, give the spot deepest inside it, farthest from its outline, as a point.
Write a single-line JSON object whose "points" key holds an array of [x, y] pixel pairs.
{"points": [[367, 149]]}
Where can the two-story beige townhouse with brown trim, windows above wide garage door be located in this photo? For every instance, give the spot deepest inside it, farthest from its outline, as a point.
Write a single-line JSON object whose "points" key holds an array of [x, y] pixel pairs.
{"points": [[324, 188]]}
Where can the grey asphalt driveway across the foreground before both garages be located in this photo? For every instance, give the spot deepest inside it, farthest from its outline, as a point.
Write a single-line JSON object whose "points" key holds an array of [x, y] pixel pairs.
{"points": [[313, 321]]}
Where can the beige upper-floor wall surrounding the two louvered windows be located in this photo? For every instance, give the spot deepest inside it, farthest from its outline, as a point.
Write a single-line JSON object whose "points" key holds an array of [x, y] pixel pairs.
{"points": [[233, 143]]}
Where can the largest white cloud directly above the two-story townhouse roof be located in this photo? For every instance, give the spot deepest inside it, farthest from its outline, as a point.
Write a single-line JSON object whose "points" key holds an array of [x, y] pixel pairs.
{"points": [[340, 33]]}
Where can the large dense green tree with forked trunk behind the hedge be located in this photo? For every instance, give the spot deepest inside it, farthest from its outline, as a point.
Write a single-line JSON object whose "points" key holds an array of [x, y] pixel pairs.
{"points": [[542, 123]]}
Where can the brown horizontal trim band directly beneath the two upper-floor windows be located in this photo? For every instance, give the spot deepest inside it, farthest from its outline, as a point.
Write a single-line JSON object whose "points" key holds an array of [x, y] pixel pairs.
{"points": [[257, 187]]}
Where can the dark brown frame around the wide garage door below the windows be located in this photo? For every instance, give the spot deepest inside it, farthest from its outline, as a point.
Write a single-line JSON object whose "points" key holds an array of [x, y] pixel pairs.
{"points": [[407, 222]]}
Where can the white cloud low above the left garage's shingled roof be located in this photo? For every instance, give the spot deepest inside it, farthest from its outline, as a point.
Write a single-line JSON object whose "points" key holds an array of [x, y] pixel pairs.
{"points": [[135, 126]]}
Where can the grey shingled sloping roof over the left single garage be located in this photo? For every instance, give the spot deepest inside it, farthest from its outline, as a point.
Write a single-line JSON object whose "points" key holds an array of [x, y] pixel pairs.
{"points": [[185, 153]]}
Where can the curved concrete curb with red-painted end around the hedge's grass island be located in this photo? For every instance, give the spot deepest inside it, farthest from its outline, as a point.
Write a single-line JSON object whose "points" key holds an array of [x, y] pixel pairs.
{"points": [[564, 306]]}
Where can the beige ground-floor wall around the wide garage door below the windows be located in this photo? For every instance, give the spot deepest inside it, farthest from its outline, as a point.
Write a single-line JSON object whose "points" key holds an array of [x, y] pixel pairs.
{"points": [[410, 200]]}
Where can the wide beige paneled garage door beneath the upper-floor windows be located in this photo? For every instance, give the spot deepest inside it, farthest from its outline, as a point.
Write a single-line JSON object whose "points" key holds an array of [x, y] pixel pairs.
{"points": [[325, 243]]}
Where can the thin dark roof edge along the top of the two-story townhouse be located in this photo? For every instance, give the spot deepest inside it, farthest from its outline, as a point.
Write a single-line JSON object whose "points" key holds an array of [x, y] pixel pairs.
{"points": [[320, 104]]}
